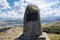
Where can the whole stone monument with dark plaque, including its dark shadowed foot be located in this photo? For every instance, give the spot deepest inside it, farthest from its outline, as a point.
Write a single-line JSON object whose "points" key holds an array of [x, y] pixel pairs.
{"points": [[32, 25]]}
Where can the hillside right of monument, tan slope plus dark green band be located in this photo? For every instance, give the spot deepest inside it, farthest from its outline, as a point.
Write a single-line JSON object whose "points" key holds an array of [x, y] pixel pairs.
{"points": [[53, 27]]}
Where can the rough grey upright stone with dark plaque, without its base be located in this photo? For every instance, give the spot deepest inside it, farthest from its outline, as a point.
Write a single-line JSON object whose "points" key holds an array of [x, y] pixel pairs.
{"points": [[32, 25]]}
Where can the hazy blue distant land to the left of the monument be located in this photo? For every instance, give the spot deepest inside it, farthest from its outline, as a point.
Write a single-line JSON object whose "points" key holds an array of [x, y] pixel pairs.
{"points": [[11, 23]]}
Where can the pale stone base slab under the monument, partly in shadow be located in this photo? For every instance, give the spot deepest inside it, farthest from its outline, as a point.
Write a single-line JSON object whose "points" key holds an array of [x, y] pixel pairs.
{"points": [[44, 36]]}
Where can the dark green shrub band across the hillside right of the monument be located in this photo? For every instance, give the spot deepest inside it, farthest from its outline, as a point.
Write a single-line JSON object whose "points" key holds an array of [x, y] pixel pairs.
{"points": [[51, 29]]}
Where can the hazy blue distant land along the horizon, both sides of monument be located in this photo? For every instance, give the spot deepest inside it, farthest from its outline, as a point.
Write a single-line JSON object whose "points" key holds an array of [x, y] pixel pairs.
{"points": [[19, 21]]}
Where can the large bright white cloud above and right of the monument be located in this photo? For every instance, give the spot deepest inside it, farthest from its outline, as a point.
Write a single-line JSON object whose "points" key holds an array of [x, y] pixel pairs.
{"points": [[44, 5]]}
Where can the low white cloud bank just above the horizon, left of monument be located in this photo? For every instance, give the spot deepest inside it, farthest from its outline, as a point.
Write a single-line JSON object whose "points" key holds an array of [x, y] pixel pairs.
{"points": [[11, 14]]}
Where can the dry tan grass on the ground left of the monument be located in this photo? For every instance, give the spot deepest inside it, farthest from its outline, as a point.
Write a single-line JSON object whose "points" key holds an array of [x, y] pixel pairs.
{"points": [[10, 34]]}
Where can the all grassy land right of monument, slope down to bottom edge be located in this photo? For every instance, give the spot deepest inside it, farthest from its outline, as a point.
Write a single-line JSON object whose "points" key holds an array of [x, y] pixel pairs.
{"points": [[52, 29]]}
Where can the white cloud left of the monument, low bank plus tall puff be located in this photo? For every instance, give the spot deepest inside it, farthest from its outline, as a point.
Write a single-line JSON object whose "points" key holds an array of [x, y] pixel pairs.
{"points": [[18, 11]]}
